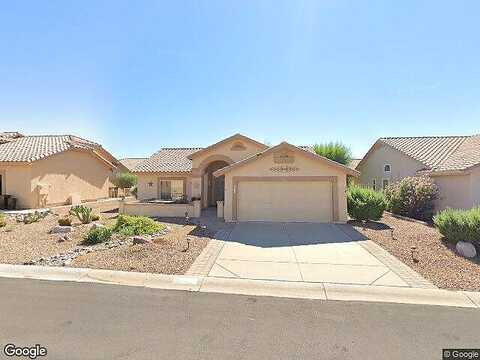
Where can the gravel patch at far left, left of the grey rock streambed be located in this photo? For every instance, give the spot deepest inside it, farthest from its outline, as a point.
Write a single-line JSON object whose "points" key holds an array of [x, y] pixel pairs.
{"points": [[21, 243]]}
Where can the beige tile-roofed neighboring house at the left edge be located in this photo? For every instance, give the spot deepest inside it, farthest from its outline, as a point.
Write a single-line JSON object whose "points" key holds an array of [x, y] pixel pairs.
{"points": [[49, 170]]}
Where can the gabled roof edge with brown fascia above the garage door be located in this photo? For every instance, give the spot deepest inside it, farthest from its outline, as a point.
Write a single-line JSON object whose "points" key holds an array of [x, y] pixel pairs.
{"points": [[285, 145]]}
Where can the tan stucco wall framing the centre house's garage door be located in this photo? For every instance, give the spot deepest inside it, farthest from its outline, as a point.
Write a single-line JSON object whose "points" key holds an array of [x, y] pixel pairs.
{"points": [[306, 167]]}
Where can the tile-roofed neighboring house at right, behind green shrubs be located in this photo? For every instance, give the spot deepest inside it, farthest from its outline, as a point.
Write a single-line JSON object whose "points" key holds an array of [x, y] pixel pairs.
{"points": [[452, 161]]}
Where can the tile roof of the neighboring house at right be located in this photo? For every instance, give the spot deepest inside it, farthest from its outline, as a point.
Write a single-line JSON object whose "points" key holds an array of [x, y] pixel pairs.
{"points": [[439, 153]]}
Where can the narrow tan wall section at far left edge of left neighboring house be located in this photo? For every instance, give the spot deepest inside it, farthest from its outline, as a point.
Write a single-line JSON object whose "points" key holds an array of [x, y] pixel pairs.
{"points": [[16, 182]]}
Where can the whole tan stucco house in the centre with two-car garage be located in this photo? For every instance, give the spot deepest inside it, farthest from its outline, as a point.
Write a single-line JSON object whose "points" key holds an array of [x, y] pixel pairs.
{"points": [[249, 180]]}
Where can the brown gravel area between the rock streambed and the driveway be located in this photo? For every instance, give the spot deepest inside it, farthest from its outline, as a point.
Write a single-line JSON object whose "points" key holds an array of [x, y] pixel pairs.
{"points": [[166, 255]]}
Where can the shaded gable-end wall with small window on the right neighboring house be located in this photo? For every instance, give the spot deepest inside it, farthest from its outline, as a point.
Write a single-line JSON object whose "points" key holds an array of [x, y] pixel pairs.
{"points": [[373, 166]]}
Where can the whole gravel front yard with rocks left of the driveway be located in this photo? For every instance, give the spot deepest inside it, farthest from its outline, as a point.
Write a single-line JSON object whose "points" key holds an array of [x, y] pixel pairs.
{"points": [[170, 251]]}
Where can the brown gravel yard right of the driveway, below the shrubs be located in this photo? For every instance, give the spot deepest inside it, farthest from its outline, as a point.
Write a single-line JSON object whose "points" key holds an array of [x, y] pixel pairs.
{"points": [[437, 260]]}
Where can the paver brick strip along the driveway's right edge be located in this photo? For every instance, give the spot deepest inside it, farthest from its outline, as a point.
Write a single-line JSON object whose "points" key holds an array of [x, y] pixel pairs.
{"points": [[410, 276]]}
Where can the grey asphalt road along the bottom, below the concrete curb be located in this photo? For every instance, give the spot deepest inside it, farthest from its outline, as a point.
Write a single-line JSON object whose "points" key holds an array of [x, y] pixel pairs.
{"points": [[92, 321]]}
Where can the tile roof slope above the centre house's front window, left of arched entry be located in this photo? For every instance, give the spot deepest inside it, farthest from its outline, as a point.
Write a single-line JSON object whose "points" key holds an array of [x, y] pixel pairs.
{"points": [[168, 160]]}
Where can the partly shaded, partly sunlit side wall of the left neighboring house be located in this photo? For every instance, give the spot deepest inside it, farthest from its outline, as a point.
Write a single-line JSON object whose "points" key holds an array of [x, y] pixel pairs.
{"points": [[68, 173]]}
